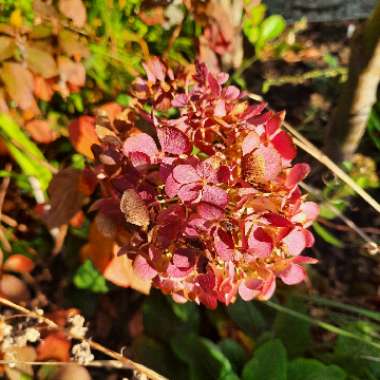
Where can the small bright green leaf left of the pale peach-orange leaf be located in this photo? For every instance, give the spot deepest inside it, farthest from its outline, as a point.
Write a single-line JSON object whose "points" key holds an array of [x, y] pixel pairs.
{"points": [[88, 277]]}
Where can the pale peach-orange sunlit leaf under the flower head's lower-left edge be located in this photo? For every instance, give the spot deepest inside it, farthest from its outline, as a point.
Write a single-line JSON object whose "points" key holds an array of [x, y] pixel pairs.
{"points": [[120, 272]]}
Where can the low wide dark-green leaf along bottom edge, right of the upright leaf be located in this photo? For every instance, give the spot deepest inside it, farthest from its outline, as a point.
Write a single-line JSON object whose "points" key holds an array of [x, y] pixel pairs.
{"points": [[310, 369]]}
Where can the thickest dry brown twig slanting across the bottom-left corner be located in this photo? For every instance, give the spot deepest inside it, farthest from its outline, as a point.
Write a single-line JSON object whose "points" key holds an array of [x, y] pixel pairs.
{"points": [[94, 345]]}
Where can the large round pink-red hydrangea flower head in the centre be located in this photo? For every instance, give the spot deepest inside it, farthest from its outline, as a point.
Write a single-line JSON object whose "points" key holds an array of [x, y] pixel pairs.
{"points": [[201, 186]]}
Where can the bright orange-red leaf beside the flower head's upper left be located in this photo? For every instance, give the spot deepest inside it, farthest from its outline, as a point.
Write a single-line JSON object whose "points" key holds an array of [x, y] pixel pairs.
{"points": [[83, 135]]}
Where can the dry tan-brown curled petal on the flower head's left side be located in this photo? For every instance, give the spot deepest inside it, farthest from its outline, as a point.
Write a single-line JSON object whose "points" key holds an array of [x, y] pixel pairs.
{"points": [[134, 209]]}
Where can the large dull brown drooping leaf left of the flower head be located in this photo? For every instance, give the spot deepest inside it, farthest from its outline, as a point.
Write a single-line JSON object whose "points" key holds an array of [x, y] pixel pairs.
{"points": [[65, 198]]}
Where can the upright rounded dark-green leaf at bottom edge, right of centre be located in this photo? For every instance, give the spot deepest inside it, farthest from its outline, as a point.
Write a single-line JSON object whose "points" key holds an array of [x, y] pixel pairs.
{"points": [[268, 362]]}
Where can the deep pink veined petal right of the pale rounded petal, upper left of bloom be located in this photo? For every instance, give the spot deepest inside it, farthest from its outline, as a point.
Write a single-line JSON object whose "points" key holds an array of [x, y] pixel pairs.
{"points": [[173, 141]]}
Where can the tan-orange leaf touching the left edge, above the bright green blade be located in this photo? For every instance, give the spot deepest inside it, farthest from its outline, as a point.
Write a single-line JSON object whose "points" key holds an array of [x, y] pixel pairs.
{"points": [[19, 84]]}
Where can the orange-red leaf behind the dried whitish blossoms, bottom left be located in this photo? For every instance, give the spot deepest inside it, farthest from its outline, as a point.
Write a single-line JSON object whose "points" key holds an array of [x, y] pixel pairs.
{"points": [[54, 347]]}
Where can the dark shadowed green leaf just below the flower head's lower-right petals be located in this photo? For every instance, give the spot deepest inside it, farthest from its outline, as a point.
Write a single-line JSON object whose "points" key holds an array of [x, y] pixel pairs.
{"points": [[247, 316]]}
